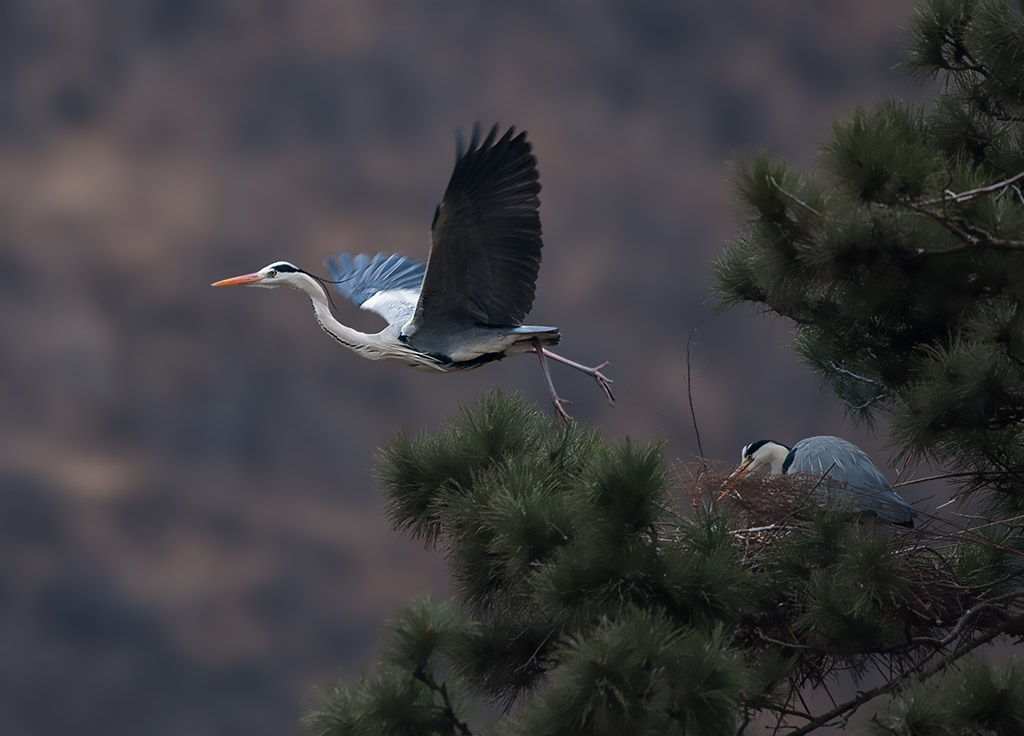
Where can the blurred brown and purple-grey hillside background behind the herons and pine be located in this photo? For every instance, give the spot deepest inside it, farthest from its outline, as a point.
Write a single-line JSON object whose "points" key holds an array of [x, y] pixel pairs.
{"points": [[191, 539]]}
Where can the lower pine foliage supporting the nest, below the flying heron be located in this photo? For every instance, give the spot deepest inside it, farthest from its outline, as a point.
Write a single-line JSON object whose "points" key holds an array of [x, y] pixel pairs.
{"points": [[599, 592]]}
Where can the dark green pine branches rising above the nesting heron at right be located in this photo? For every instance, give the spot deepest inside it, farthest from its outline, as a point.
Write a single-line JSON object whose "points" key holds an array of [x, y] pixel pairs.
{"points": [[903, 268]]}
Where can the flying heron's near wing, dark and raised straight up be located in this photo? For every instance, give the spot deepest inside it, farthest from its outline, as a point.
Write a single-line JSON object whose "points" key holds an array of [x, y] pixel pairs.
{"points": [[486, 238]]}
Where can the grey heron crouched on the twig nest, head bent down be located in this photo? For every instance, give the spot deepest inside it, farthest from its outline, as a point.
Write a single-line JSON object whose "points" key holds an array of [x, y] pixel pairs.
{"points": [[862, 485]]}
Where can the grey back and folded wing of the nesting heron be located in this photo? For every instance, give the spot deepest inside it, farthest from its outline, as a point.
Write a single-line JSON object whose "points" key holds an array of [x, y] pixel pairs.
{"points": [[862, 484]]}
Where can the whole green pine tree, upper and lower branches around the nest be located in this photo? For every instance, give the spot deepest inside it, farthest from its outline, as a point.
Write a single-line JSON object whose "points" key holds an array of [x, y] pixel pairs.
{"points": [[600, 591]]}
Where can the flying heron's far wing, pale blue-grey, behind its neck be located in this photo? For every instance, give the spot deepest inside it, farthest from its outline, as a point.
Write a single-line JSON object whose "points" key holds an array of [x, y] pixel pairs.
{"points": [[387, 285]]}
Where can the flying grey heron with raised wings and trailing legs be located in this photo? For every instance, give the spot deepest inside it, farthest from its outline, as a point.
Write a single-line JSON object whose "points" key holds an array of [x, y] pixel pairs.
{"points": [[466, 307]]}
